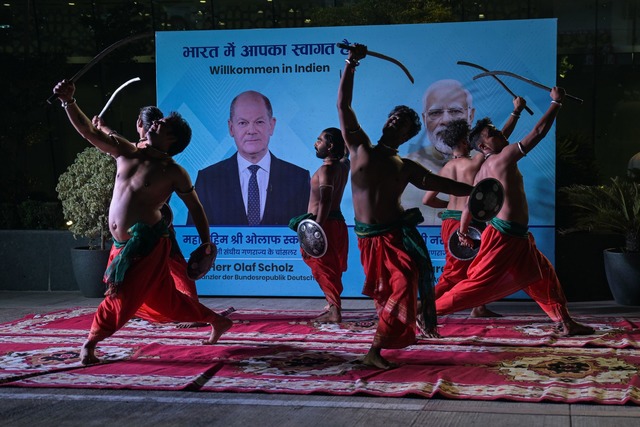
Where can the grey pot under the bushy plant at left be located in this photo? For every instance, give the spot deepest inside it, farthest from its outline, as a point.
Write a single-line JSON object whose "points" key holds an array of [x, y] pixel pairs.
{"points": [[88, 267]]}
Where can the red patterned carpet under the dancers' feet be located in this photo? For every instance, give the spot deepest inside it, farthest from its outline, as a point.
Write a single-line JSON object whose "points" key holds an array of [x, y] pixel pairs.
{"points": [[517, 358]]}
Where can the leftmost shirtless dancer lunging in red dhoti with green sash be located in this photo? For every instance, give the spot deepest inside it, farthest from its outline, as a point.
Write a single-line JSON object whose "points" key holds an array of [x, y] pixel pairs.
{"points": [[138, 270]]}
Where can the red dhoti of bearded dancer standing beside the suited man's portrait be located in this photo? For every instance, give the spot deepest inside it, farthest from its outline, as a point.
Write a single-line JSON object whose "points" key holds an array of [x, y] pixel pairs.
{"points": [[328, 269]]}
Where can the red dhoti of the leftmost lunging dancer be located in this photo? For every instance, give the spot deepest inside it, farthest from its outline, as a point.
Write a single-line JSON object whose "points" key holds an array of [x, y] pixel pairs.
{"points": [[147, 281]]}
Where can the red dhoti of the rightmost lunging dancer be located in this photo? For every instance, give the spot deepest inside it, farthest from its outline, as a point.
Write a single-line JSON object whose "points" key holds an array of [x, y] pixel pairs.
{"points": [[506, 264]]}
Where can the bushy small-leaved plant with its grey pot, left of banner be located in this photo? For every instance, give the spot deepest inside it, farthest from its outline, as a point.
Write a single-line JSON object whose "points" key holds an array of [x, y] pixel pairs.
{"points": [[85, 190]]}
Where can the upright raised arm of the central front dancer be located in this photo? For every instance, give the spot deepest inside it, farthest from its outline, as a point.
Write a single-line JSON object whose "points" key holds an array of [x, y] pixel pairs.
{"points": [[351, 131]]}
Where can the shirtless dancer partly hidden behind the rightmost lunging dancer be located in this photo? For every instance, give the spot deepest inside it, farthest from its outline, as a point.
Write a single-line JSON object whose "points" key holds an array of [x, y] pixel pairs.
{"points": [[462, 167]]}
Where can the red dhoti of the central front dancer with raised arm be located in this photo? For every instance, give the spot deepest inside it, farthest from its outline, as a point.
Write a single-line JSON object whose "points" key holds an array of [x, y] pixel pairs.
{"points": [[391, 280]]}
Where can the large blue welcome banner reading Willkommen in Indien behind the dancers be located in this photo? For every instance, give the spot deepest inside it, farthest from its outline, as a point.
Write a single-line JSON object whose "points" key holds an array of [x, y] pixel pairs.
{"points": [[199, 73]]}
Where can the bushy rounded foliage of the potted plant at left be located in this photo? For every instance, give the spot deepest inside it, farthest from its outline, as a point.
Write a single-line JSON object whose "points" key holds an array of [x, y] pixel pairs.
{"points": [[85, 191]]}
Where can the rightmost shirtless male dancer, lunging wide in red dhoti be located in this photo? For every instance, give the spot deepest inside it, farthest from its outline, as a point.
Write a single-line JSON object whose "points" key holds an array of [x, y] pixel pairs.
{"points": [[508, 259]]}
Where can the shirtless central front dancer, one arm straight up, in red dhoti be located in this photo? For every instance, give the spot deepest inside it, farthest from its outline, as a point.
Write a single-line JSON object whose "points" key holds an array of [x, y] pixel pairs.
{"points": [[392, 252]]}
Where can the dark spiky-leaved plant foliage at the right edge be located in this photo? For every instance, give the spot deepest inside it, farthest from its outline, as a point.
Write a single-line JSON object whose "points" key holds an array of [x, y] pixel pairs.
{"points": [[612, 208]]}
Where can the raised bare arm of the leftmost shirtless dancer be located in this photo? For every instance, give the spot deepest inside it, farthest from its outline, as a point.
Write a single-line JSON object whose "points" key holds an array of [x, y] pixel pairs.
{"points": [[114, 145]]}
